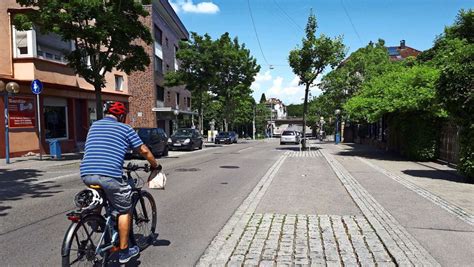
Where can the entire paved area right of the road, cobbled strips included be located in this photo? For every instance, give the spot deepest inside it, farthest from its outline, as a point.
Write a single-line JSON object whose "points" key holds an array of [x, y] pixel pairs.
{"points": [[333, 207]]}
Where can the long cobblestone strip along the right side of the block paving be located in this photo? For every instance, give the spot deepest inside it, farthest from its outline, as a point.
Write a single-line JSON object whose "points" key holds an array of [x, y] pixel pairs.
{"points": [[405, 249]]}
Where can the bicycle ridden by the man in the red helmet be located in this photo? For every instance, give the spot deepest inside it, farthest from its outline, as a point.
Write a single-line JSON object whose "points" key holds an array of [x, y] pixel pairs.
{"points": [[92, 237]]}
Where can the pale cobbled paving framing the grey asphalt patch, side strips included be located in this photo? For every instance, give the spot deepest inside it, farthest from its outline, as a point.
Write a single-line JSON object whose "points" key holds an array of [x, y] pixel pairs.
{"points": [[268, 239]]}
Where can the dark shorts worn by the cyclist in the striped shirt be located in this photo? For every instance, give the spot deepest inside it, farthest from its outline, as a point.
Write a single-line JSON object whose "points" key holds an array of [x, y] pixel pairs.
{"points": [[117, 191]]}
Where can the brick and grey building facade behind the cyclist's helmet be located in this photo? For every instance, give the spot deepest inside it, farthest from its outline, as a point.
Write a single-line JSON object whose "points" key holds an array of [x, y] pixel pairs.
{"points": [[152, 104]]}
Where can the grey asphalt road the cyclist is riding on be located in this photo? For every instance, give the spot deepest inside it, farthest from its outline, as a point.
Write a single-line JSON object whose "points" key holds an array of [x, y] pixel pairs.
{"points": [[204, 188]]}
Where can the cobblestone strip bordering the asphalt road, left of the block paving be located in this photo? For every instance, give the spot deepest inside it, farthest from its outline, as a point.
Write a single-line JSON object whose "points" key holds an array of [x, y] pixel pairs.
{"points": [[222, 246]]}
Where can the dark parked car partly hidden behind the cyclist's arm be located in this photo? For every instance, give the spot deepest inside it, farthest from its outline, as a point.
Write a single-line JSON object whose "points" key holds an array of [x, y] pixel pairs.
{"points": [[155, 139]]}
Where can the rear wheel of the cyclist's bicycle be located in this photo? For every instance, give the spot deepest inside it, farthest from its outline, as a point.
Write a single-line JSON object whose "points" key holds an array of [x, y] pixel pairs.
{"points": [[81, 241]]}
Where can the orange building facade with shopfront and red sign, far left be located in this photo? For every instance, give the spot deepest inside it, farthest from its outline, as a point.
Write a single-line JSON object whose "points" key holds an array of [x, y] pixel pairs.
{"points": [[67, 102]]}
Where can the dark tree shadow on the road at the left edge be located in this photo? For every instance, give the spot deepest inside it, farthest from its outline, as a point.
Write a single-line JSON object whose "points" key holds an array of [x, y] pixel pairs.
{"points": [[16, 184]]}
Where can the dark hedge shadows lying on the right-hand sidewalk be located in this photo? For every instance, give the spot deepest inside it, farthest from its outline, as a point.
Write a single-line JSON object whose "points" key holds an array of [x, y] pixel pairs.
{"points": [[368, 152]]}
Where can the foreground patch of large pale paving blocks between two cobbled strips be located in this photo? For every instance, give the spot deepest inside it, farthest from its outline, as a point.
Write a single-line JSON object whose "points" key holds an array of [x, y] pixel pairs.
{"points": [[308, 240]]}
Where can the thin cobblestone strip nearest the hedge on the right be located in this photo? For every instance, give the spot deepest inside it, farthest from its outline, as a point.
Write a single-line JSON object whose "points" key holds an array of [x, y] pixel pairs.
{"points": [[450, 207]]}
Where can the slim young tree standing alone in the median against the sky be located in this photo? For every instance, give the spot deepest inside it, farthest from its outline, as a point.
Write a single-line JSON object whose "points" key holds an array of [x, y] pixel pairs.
{"points": [[309, 61]]}
